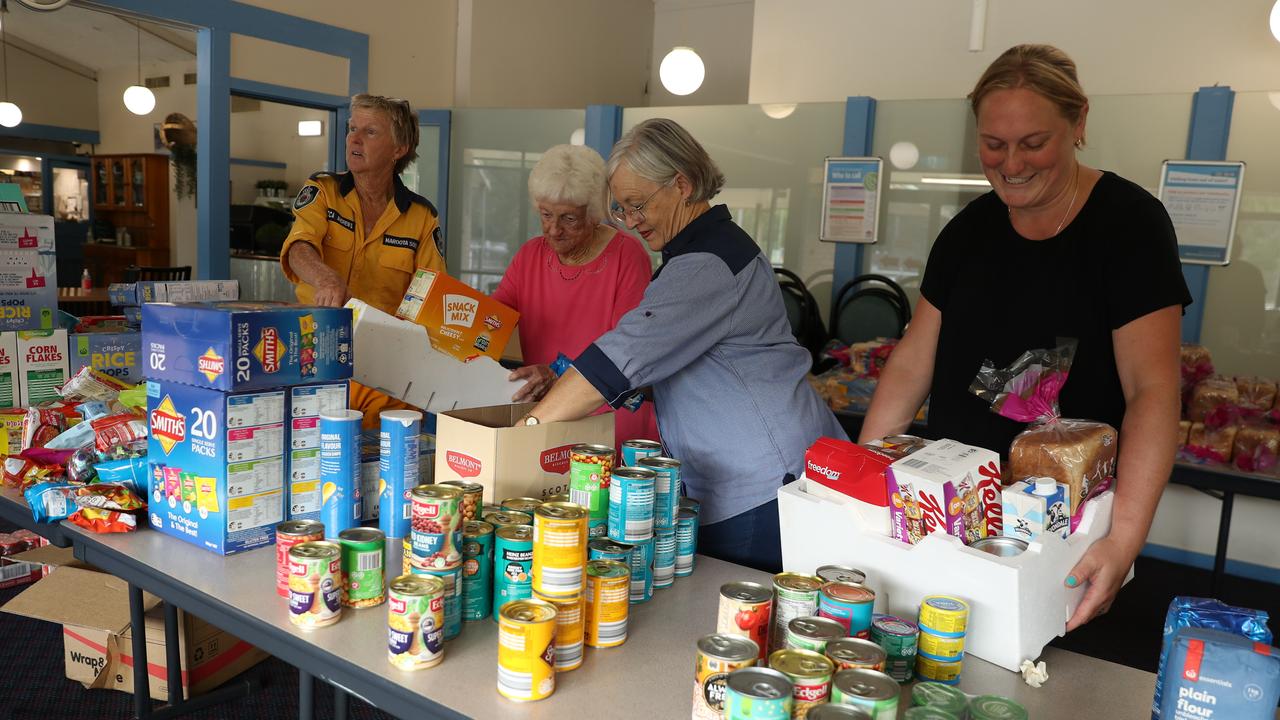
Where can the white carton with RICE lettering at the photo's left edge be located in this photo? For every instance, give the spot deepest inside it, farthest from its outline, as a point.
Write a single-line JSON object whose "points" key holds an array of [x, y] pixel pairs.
{"points": [[29, 272]]}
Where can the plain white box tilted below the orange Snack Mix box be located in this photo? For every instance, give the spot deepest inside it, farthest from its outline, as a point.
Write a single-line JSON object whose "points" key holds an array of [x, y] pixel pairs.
{"points": [[396, 358]]}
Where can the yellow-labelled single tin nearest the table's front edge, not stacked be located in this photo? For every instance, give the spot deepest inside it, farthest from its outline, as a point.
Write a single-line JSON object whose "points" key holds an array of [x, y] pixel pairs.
{"points": [[527, 650]]}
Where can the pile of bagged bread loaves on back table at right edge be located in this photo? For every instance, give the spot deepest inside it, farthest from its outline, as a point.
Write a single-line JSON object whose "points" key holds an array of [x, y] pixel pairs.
{"points": [[1228, 421]]}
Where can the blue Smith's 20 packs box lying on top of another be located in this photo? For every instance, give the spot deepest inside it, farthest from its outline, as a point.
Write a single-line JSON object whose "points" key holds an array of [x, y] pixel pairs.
{"points": [[237, 347]]}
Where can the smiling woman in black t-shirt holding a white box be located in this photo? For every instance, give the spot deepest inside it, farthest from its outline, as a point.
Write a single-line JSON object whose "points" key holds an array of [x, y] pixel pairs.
{"points": [[1058, 250]]}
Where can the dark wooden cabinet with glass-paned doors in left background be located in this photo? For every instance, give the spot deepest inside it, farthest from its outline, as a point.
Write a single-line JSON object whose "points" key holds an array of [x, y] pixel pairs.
{"points": [[132, 193]]}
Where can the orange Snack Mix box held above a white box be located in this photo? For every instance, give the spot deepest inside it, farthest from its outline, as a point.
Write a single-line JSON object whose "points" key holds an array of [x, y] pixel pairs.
{"points": [[461, 321]]}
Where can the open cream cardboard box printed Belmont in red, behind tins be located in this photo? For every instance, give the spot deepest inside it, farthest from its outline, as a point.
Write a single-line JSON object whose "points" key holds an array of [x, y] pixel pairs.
{"points": [[479, 445]]}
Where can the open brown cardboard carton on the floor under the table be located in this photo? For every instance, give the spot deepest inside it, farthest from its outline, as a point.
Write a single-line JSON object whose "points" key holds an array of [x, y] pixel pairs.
{"points": [[94, 610]]}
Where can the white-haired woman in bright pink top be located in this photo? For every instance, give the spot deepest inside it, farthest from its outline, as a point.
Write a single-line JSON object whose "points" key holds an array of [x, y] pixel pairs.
{"points": [[574, 282]]}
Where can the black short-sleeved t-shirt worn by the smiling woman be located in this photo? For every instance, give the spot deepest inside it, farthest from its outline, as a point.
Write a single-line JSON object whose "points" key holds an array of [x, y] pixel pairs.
{"points": [[1003, 295]]}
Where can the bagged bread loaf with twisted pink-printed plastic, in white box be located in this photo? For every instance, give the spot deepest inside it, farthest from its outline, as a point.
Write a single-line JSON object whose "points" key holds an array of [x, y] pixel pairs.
{"points": [[1080, 454]]}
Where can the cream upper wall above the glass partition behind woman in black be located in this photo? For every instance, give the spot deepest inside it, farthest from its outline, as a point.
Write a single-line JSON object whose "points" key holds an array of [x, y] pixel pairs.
{"points": [[821, 51]]}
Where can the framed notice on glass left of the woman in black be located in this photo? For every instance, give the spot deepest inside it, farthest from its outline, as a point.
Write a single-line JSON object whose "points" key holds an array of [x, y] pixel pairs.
{"points": [[851, 199]]}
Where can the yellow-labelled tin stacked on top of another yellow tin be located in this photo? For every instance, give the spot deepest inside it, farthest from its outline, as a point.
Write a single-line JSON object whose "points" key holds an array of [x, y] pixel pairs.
{"points": [[560, 550]]}
